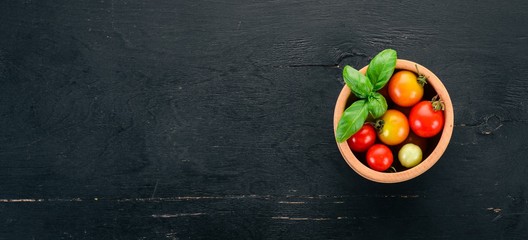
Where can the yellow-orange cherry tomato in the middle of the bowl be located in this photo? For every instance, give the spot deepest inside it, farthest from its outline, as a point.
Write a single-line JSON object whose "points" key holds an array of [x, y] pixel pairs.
{"points": [[395, 127]]}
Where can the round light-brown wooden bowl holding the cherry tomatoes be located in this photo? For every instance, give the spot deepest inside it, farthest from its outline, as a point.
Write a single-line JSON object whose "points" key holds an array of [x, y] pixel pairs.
{"points": [[430, 160]]}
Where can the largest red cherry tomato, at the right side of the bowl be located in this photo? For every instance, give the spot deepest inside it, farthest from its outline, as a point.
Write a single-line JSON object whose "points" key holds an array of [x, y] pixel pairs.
{"points": [[425, 120]]}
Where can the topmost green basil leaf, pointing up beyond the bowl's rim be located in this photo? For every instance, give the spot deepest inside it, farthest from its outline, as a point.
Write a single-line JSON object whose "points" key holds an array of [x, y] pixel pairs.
{"points": [[381, 68]]}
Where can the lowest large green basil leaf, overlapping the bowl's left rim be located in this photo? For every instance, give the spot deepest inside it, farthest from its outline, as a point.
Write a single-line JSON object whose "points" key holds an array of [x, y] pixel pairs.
{"points": [[352, 120]]}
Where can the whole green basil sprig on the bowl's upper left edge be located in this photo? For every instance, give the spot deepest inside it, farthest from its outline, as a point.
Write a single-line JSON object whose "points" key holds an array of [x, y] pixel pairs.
{"points": [[365, 88]]}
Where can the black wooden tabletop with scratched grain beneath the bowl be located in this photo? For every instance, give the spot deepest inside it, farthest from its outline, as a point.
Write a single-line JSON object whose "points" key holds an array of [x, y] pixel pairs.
{"points": [[213, 119]]}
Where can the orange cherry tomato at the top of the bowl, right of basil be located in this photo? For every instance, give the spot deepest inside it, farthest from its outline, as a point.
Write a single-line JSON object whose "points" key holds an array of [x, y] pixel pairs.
{"points": [[404, 88]]}
